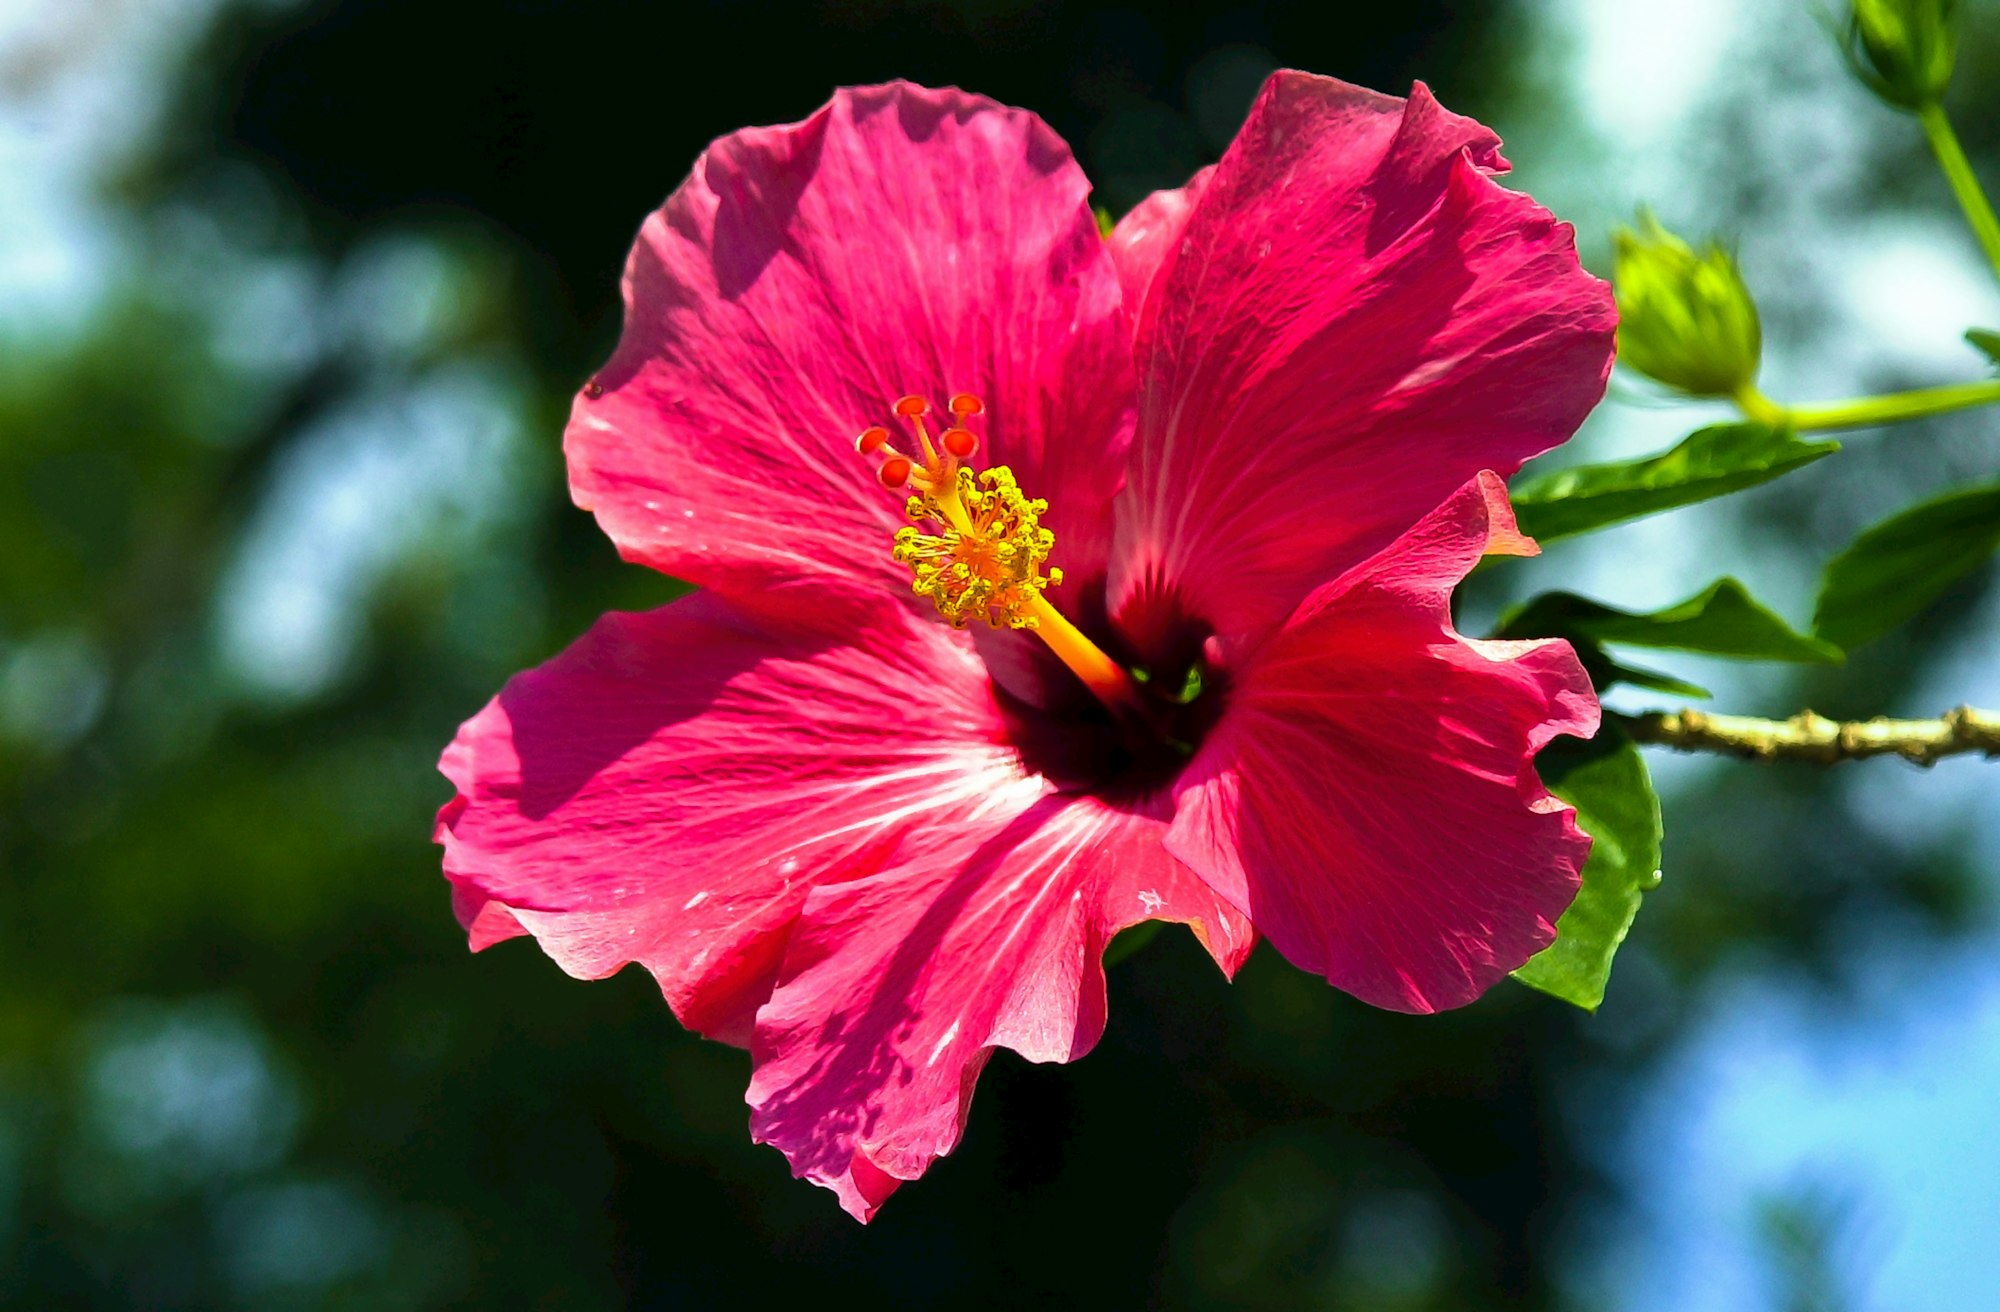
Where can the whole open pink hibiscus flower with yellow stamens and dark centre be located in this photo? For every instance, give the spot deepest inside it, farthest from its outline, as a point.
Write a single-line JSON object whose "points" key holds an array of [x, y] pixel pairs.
{"points": [[1211, 675]]}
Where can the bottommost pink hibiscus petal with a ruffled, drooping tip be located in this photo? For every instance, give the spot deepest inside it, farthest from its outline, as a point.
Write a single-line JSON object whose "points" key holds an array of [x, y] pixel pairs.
{"points": [[899, 987]]}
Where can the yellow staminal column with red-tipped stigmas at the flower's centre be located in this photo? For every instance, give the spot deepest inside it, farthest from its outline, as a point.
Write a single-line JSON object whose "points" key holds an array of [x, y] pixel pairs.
{"points": [[985, 557]]}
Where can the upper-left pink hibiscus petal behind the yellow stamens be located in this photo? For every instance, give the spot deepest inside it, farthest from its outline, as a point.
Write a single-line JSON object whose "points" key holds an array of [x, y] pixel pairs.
{"points": [[901, 241]]}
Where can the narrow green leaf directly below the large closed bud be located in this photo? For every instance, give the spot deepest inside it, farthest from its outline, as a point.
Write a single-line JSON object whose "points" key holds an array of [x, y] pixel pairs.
{"points": [[1711, 463]]}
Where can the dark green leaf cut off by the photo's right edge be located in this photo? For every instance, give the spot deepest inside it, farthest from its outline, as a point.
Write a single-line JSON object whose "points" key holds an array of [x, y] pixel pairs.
{"points": [[1903, 565]]}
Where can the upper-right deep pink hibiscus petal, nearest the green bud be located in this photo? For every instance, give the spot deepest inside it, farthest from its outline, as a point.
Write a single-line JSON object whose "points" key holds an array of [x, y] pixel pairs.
{"points": [[1353, 323]]}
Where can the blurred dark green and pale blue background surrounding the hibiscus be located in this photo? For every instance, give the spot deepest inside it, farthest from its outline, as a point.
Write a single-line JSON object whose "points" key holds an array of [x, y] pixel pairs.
{"points": [[293, 295]]}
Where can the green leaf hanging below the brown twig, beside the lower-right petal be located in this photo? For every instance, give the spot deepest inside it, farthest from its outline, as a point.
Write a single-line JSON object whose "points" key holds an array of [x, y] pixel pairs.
{"points": [[1611, 791]]}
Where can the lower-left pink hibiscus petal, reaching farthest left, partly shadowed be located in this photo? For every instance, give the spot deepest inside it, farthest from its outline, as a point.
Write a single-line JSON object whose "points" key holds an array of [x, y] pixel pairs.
{"points": [[669, 789]]}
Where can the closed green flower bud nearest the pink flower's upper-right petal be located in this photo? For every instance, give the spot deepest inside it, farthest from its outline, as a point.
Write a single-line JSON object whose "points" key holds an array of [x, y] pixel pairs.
{"points": [[1685, 317]]}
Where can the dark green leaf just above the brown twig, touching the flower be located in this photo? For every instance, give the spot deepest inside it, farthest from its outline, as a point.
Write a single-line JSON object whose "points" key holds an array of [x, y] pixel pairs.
{"points": [[1719, 621]]}
